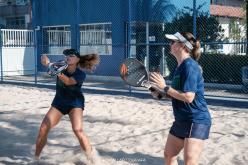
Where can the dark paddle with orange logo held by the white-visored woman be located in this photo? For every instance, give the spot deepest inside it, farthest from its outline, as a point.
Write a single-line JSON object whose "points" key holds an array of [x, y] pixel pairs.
{"points": [[134, 73]]}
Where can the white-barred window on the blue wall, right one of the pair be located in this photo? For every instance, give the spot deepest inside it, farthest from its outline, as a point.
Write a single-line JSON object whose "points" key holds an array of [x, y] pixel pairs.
{"points": [[96, 38]]}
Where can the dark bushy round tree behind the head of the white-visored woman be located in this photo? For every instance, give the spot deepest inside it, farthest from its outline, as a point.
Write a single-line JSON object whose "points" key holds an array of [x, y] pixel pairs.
{"points": [[208, 30]]}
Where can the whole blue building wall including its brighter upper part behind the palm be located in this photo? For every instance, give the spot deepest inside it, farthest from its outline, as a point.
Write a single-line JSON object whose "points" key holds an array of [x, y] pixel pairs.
{"points": [[117, 12]]}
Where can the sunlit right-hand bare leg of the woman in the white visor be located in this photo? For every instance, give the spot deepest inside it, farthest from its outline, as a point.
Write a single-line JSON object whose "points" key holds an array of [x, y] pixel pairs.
{"points": [[192, 150]]}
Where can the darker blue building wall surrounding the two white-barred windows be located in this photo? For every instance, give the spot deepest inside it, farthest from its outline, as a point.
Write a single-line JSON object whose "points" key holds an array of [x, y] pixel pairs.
{"points": [[75, 12]]}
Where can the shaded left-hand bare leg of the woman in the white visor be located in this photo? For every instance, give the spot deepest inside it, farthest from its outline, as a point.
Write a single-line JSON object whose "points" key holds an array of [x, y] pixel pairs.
{"points": [[172, 148]]}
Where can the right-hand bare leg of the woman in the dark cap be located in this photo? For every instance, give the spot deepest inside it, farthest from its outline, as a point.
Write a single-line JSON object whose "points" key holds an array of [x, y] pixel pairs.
{"points": [[76, 116]]}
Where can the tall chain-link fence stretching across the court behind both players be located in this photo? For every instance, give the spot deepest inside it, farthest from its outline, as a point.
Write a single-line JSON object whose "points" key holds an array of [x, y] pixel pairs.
{"points": [[140, 35]]}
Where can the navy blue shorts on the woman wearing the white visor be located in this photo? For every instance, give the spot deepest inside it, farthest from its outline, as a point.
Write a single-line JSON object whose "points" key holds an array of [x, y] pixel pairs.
{"points": [[190, 130]]}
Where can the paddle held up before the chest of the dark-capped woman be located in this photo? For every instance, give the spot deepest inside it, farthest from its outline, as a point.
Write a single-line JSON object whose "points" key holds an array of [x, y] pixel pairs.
{"points": [[56, 67]]}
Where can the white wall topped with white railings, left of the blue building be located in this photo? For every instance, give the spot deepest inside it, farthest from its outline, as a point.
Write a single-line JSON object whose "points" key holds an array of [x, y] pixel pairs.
{"points": [[17, 52]]}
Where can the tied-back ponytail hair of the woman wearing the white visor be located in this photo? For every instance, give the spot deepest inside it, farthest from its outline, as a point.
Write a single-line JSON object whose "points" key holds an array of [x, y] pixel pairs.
{"points": [[195, 52]]}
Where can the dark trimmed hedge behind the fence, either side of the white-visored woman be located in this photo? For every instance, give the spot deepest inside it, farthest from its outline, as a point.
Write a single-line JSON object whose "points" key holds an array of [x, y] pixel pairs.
{"points": [[217, 68]]}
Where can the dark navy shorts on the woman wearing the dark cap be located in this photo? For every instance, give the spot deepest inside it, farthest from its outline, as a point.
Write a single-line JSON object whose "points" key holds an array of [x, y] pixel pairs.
{"points": [[65, 108]]}
